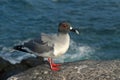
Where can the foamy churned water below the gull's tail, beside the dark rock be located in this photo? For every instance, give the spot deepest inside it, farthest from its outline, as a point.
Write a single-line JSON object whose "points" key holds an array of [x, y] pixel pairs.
{"points": [[14, 56]]}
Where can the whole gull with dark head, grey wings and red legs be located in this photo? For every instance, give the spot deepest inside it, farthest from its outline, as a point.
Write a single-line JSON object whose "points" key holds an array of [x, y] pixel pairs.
{"points": [[50, 45]]}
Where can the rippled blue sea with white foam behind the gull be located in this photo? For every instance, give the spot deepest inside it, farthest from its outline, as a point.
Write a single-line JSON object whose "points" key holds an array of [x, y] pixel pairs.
{"points": [[97, 20]]}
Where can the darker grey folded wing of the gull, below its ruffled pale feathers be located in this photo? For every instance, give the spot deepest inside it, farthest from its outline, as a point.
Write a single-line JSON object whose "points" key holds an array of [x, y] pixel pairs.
{"points": [[38, 46]]}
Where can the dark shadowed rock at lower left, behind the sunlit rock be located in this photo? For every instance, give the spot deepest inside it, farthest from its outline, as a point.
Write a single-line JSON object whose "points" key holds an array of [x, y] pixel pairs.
{"points": [[7, 69]]}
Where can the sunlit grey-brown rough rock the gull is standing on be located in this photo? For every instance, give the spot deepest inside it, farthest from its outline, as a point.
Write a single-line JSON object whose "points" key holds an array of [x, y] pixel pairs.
{"points": [[83, 70]]}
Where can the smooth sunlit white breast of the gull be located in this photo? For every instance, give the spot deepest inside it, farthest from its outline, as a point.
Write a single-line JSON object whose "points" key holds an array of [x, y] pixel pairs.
{"points": [[61, 45]]}
